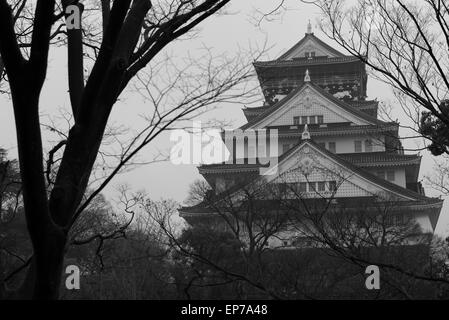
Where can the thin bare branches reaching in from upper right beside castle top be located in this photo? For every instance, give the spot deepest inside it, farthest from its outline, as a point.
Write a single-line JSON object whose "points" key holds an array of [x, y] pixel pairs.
{"points": [[406, 44]]}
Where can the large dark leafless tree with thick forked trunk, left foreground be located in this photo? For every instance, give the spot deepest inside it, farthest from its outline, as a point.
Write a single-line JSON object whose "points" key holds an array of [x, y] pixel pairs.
{"points": [[131, 36]]}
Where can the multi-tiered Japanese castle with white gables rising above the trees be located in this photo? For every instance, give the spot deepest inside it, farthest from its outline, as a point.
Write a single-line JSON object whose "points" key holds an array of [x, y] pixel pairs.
{"points": [[330, 142]]}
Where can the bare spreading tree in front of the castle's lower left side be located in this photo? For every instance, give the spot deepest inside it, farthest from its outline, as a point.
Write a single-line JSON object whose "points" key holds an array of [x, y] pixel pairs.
{"points": [[225, 249]]}
